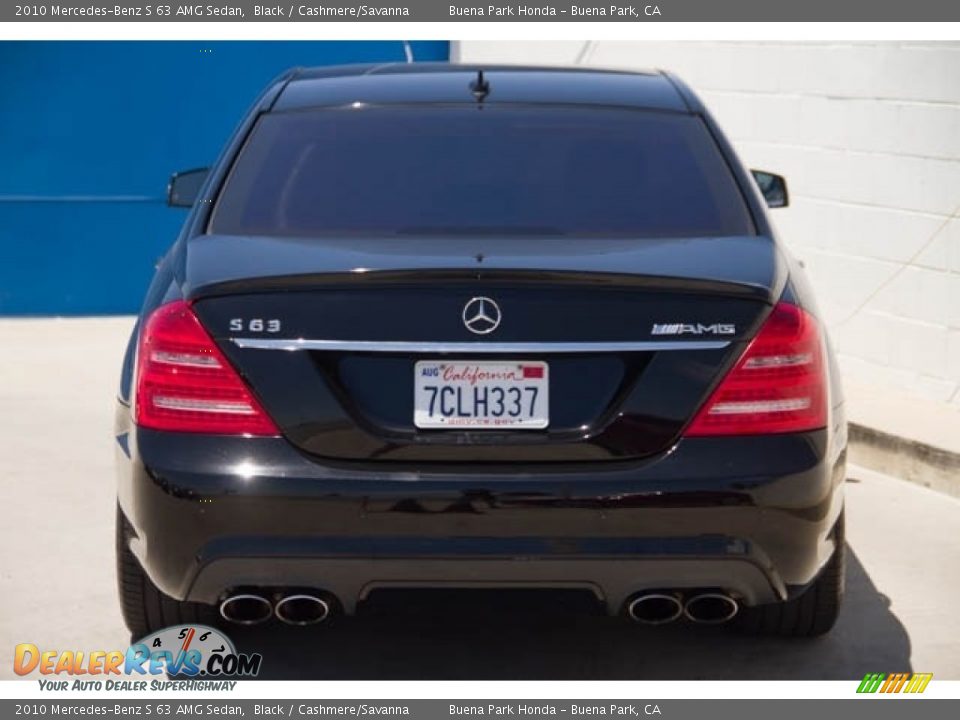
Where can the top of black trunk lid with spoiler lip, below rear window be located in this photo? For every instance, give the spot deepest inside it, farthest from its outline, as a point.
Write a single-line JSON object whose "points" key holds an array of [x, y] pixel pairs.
{"points": [[749, 267]]}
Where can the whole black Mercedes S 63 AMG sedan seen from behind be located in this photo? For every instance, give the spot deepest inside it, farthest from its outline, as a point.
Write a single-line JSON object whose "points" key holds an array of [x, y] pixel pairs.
{"points": [[441, 326]]}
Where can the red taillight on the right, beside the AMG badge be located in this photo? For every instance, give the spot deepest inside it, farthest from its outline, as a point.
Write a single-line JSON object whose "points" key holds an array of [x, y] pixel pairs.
{"points": [[777, 386]]}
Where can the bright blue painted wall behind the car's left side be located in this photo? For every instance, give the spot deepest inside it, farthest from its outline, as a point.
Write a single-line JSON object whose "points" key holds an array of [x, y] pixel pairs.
{"points": [[90, 132]]}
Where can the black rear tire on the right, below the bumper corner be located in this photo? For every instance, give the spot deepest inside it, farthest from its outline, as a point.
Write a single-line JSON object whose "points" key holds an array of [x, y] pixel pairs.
{"points": [[810, 614]]}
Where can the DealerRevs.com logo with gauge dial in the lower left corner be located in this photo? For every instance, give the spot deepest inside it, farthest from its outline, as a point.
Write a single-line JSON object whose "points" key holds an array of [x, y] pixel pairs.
{"points": [[186, 651]]}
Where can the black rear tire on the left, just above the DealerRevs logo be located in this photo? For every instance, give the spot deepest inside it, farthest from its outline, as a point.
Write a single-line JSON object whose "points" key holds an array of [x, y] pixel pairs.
{"points": [[145, 608]]}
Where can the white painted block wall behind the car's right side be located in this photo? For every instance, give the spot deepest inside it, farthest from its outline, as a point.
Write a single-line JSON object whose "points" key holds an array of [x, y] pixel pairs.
{"points": [[868, 136]]}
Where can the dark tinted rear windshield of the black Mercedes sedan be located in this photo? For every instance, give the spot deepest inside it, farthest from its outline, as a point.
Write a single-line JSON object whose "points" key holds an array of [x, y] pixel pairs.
{"points": [[552, 171]]}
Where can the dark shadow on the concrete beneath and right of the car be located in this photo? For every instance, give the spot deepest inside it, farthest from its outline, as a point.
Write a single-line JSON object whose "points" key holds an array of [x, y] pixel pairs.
{"points": [[479, 636]]}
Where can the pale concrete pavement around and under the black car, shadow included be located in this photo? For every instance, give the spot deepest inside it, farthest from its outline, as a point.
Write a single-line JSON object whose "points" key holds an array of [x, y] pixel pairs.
{"points": [[57, 384]]}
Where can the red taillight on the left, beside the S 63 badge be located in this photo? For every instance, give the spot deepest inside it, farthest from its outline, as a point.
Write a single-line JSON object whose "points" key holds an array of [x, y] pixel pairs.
{"points": [[185, 383]]}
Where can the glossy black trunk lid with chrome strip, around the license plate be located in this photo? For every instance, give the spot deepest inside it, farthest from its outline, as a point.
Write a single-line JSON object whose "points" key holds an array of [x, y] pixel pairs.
{"points": [[579, 305]]}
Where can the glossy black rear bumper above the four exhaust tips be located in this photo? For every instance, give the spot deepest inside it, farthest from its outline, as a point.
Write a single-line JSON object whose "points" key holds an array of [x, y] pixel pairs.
{"points": [[753, 516]]}
